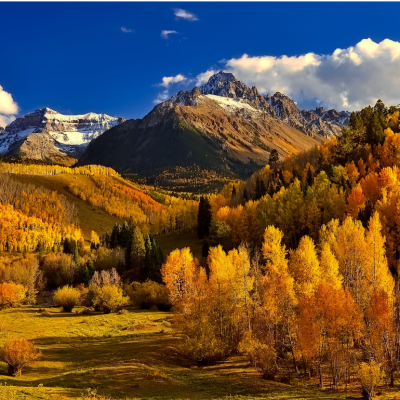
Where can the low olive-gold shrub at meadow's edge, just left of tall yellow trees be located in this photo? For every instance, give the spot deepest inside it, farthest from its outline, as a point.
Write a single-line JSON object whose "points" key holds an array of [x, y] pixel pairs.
{"points": [[149, 294]]}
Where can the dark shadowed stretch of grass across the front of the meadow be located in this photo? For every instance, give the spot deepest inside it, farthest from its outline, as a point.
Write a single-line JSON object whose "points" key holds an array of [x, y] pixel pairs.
{"points": [[123, 365]]}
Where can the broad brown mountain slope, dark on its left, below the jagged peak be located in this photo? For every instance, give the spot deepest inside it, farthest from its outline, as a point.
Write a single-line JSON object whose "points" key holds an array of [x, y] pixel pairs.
{"points": [[196, 136]]}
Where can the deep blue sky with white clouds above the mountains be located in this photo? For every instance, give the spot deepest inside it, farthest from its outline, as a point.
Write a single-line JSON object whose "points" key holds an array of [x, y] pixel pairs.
{"points": [[75, 58]]}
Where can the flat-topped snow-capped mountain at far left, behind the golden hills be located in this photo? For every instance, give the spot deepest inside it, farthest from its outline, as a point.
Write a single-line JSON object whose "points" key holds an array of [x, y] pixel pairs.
{"points": [[64, 136]]}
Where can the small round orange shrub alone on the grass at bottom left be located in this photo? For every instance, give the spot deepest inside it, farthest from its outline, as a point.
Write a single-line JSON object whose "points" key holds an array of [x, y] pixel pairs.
{"points": [[18, 353]]}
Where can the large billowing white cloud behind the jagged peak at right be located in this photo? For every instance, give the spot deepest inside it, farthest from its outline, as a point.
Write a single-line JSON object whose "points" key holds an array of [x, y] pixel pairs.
{"points": [[347, 79]]}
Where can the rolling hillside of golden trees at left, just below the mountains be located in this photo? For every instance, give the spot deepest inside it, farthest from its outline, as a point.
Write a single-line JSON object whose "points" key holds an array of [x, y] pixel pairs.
{"points": [[99, 198]]}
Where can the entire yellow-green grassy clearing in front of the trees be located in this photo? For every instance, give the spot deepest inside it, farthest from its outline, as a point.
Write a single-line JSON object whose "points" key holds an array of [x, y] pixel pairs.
{"points": [[130, 356]]}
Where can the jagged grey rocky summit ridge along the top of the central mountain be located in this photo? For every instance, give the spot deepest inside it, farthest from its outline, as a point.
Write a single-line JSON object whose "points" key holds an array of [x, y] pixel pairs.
{"points": [[313, 122]]}
